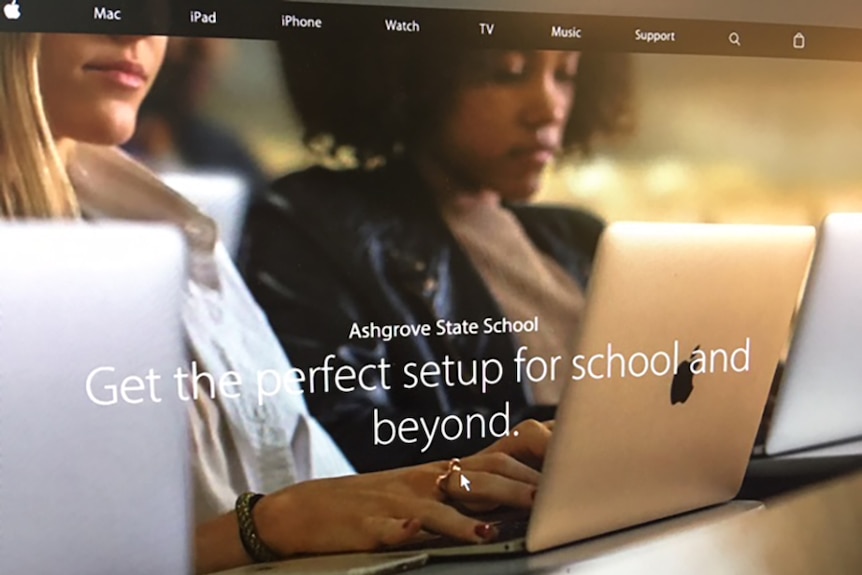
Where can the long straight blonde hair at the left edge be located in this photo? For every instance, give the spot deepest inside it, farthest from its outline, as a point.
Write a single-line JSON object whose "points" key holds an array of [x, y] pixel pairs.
{"points": [[33, 179]]}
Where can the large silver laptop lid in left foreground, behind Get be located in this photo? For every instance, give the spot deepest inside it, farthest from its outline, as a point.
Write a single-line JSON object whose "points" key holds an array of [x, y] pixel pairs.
{"points": [[87, 487]]}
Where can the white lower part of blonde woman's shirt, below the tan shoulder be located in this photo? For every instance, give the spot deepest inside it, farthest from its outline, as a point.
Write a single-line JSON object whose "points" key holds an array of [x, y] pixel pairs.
{"points": [[243, 444]]}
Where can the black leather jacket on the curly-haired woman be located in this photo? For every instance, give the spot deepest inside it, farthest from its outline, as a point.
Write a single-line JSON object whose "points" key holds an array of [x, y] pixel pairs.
{"points": [[327, 250]]}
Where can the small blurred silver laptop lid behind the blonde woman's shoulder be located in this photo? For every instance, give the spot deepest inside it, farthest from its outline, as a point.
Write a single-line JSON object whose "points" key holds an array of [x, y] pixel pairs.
{"points": [[222, 196]]}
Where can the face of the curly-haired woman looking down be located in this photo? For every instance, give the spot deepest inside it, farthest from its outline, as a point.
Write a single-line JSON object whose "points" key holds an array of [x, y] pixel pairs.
{"points": [[507, 122]]}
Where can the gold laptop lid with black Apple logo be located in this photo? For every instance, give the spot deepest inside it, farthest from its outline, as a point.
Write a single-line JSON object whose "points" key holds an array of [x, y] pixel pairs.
{"points": [[683, 328]]}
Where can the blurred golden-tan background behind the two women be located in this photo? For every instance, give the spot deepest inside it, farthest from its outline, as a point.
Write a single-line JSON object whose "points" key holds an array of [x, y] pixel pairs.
{"points": [[717, 140]]}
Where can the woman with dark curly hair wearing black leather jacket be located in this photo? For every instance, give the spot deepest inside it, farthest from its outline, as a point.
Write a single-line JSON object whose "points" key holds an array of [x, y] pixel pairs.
{"points": [[431, 226]]}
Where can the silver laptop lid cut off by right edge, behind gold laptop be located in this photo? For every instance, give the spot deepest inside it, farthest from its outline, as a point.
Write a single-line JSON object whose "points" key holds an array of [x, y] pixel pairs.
{"points": [[820, 394]]}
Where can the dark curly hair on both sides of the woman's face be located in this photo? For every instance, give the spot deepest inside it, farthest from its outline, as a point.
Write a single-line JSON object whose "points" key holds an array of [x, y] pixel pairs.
{"points": [[373, 98]]}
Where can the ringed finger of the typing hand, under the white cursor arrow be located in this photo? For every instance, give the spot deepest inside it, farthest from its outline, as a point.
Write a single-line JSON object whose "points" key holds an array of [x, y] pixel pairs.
{"points": [[484, 488]]}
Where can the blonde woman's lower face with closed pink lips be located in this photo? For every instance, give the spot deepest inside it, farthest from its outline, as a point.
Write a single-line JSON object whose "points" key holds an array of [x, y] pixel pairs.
{"points": [[93, 85]]}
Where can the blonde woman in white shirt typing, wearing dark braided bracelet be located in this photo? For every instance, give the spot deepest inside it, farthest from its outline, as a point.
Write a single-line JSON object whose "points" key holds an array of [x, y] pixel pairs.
{"points": [[66, 101]]}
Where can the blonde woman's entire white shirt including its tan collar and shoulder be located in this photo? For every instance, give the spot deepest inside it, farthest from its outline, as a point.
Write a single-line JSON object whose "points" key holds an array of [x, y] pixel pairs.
{"points": [[240, 444]]}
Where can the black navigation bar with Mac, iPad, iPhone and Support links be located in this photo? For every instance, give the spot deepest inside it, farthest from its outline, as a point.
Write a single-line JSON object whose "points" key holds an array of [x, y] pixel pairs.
{"points": [[347, 24]]}
